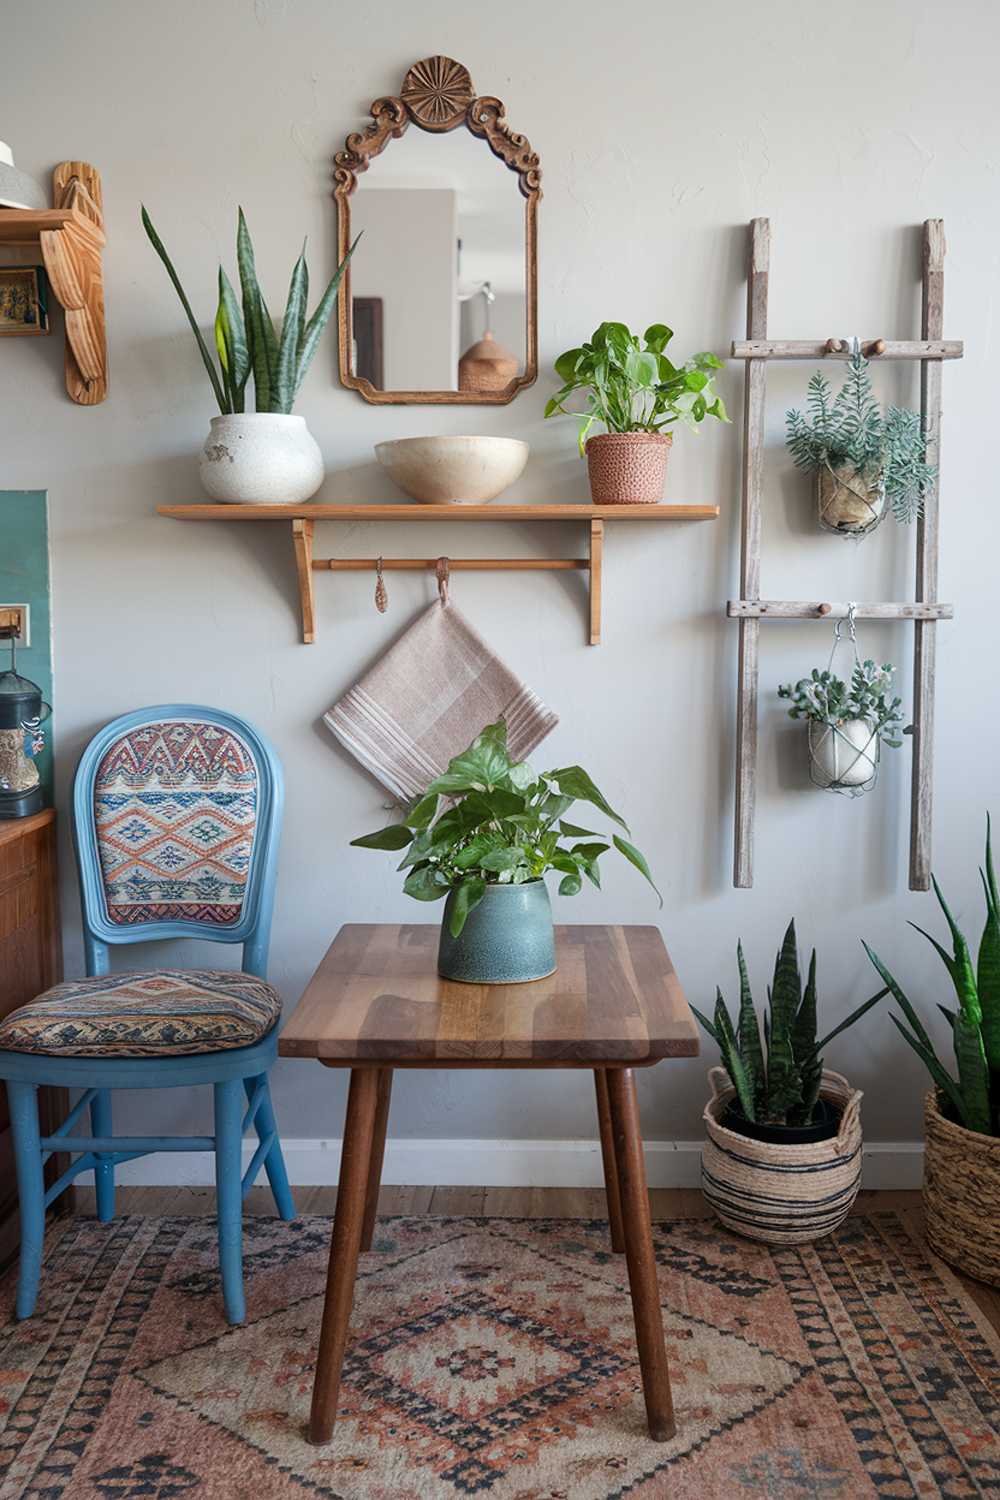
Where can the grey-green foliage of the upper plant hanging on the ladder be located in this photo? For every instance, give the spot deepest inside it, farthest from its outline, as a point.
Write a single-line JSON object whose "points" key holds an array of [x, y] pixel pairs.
{"points": [[852, 431]]}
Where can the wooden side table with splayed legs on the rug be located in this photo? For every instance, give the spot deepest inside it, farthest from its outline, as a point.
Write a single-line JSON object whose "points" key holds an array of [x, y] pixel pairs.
{"points": [[377, 1003]]}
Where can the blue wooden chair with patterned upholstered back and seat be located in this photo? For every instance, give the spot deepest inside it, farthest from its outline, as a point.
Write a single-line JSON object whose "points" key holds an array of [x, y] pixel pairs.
{"points": [[178, 815]]}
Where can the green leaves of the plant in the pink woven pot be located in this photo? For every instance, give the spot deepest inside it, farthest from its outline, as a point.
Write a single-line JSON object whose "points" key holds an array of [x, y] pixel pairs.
{"points": [[632, 386]]}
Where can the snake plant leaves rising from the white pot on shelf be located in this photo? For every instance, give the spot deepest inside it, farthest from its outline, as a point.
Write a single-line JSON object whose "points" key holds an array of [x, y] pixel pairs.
{"points": [[247, 341]]}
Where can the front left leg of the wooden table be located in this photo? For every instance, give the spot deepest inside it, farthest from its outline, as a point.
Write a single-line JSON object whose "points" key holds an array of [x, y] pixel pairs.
{"points": [[344, 1250]]}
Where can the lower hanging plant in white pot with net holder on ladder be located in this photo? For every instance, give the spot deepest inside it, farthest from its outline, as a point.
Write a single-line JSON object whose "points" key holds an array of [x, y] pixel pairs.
{"points": [[848, 721]]}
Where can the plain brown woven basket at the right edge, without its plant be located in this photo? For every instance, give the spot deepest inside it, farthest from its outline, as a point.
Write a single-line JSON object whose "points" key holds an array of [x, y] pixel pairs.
{"points": [[962, 1196]]}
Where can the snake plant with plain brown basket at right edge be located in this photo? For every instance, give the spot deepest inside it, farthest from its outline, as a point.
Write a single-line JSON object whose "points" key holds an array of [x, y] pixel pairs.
{"points": [[962, 1162]]}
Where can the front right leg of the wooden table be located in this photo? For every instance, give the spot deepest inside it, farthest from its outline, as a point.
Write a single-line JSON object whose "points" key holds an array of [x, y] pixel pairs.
{"points": [[642, 1267]]}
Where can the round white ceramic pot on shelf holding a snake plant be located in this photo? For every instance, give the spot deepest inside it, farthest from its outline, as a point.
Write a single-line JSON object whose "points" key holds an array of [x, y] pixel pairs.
{"points": [[262, 457]]}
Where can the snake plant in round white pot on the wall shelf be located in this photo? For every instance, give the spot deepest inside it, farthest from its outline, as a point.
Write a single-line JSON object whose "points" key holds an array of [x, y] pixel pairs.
{"points": [[266, 455]]}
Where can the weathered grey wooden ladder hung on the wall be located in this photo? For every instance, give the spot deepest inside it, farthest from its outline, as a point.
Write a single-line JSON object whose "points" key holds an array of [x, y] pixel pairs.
{"points": [[930, 350]]}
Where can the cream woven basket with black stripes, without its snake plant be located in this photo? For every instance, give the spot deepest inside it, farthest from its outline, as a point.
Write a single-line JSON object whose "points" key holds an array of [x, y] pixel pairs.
{"points": [[782, 1195]]}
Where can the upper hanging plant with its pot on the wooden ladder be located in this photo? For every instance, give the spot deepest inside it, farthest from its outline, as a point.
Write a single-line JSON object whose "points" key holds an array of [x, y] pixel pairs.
{"points": [[863, 460]]}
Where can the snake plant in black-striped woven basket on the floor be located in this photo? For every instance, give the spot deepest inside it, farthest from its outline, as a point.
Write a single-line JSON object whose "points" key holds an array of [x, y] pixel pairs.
{"points": [[782, 1162]]}
